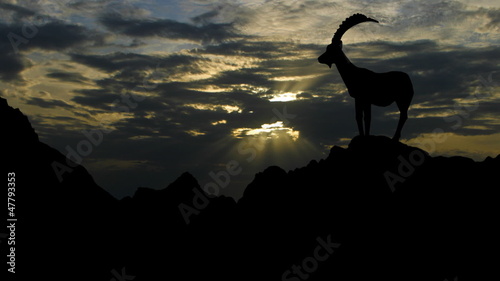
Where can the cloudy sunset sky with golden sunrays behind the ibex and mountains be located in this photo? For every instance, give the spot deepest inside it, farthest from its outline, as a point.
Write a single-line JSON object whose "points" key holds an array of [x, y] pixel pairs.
{"points": [[176, 86]]}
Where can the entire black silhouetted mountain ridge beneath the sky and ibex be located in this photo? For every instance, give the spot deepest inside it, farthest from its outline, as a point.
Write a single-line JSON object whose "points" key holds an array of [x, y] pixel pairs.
{"points": [[376, 210]]}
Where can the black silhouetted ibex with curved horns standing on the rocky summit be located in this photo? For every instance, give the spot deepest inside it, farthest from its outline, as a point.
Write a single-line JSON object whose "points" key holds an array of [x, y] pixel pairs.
{"points": [[366, 86]]}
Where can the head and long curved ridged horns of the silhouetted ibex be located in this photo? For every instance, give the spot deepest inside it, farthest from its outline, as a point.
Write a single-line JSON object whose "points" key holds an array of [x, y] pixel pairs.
{"points": [[333, 51]]}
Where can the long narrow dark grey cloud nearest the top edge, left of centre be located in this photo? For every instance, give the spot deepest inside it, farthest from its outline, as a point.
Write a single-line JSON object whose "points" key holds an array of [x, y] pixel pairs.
{"points": [[206, 33]]}
